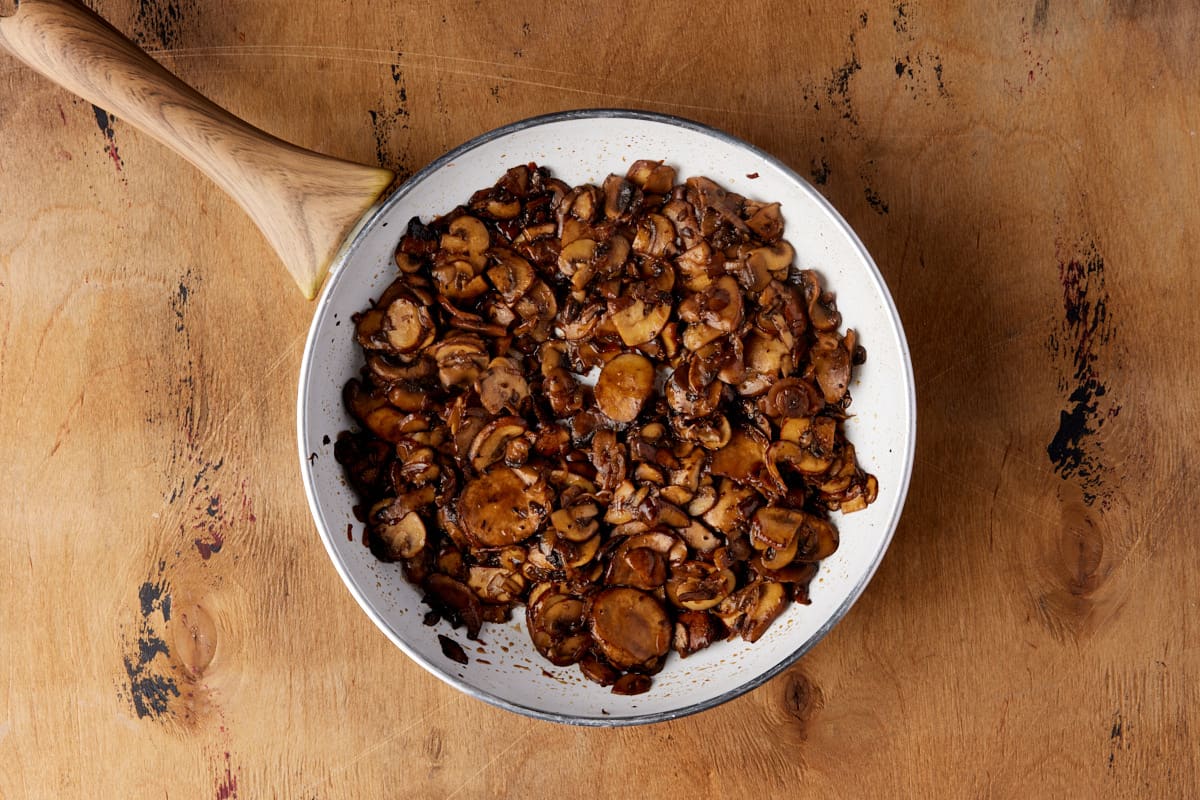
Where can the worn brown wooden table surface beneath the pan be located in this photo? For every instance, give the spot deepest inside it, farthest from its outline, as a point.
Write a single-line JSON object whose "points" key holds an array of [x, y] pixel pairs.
{"points": [[1025, 176]]}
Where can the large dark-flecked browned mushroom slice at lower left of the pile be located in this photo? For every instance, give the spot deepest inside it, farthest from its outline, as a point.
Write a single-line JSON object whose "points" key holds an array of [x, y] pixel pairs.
{"points": [[502, 508]]}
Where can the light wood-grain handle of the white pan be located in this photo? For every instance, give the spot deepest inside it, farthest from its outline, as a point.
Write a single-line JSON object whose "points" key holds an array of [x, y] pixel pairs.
{"points": [[305, 204]]}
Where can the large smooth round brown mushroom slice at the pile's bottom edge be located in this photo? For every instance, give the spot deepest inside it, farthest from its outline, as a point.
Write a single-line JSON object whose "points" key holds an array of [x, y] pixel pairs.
{"points": [[631, 628]]}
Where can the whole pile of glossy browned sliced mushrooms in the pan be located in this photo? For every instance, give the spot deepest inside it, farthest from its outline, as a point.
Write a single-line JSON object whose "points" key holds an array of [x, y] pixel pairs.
{"points": [[620, 407]]}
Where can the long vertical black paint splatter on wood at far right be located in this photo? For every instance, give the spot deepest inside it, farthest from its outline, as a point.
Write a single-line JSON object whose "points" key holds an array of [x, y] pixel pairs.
{"points": [[1076, 452]]}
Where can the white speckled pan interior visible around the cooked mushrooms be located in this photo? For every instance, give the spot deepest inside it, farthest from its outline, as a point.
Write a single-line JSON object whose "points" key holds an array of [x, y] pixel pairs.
{"points": [[581, 147]]}
